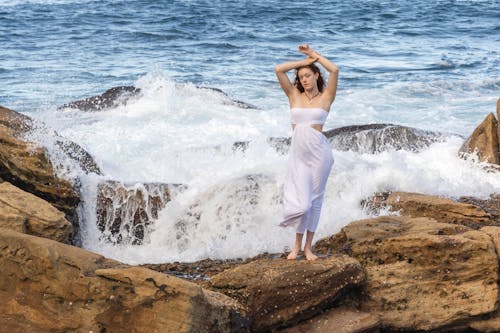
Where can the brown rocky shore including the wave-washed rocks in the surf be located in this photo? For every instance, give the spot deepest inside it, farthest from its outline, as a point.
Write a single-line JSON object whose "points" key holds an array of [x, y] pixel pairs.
{"points": [[432, 265]]}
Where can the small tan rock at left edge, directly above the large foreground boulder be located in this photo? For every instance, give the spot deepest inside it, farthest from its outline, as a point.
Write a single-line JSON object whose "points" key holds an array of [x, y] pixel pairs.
{"points": [[24, 212]]}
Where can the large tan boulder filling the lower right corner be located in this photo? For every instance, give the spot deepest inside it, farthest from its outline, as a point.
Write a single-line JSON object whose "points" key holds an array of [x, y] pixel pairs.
{"points": [[421, 274]]}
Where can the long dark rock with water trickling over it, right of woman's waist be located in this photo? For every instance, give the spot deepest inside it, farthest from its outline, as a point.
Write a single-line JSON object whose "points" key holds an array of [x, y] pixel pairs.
{"points": [[376, 138]]}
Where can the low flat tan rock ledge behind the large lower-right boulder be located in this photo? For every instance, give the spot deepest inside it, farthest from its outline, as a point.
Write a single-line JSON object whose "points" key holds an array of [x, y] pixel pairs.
{"points": [[438, 208]]}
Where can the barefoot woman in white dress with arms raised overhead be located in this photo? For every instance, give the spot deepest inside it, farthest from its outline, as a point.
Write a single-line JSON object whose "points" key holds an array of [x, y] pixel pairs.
{"points": [[311, 157]]}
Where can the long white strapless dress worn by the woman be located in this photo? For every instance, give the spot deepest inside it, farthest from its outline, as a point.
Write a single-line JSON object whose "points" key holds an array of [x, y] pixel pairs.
{"points": [[309, 165]]}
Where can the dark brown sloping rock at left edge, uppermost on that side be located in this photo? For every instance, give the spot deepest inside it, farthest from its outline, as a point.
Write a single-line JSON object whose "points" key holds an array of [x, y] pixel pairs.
{"points": [[28, 167]]}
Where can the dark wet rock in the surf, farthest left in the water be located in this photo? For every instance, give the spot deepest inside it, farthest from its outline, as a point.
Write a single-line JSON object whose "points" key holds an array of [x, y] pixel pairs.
{"points": [[110, 98]]}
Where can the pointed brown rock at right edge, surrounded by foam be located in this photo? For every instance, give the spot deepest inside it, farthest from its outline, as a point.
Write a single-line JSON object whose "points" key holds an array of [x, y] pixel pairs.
{"points": [[484, 141]]}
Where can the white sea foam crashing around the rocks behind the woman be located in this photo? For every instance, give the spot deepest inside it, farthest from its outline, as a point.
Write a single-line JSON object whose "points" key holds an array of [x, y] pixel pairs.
{"points": [[178, 133]]}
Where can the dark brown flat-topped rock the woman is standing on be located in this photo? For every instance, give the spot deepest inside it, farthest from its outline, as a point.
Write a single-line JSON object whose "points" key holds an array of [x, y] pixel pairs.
{"points": [[282, 292]]}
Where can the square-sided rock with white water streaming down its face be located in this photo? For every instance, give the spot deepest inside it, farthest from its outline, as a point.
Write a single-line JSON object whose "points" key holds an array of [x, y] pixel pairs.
{"points": [[126, 212]]}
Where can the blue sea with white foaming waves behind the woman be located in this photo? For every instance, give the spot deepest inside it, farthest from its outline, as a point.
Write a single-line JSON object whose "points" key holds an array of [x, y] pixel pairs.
{"points": [[433, 65]]}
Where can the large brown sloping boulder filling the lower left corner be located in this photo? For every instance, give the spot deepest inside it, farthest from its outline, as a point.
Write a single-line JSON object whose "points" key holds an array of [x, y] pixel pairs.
{"points": [[46, 286]]}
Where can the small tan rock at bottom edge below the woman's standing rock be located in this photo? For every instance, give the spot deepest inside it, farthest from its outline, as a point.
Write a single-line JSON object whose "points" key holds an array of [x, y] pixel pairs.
{"points": [[338, 320]]}
